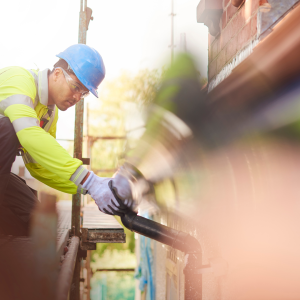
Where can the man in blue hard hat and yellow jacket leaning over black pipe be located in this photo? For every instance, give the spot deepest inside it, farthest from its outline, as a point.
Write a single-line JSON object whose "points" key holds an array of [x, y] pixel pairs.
{"points": [[29, 103]]}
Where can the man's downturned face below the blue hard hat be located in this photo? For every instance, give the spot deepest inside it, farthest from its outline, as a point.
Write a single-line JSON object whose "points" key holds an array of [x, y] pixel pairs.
{"points": [[63, 93]]}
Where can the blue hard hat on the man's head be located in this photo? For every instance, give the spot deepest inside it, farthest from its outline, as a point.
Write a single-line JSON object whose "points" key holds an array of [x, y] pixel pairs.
{"points": [[87, 64]]}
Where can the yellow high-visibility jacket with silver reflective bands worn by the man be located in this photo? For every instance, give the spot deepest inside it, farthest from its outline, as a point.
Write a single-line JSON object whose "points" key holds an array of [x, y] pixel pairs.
{"points": [[24, 100]]}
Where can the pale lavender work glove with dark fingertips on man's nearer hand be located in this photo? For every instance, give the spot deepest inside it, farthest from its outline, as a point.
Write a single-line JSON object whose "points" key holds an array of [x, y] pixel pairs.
{"points": [[98, 188]]}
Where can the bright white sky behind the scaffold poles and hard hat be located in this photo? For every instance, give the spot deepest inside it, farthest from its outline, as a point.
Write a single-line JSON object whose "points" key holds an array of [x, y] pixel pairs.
{"points": [[129, 35]]}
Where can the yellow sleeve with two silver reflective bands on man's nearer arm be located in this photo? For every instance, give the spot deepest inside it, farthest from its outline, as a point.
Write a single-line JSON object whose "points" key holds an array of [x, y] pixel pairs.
{"points": [[41, 145]]}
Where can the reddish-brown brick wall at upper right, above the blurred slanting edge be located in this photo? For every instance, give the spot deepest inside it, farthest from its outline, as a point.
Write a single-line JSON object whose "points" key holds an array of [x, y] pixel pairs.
{"points": [[238, 27]]}
